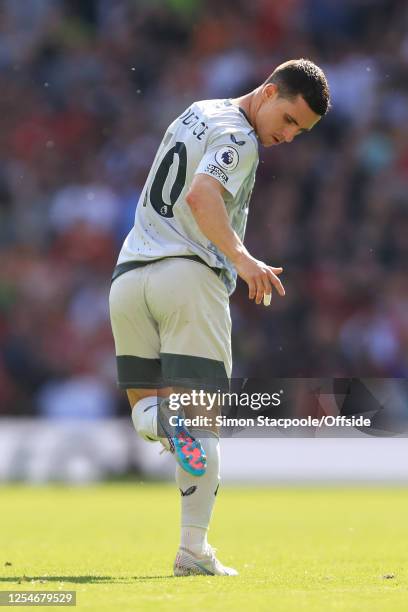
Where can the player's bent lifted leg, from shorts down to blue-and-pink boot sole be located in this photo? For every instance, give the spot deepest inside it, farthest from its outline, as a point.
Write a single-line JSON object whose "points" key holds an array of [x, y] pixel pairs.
{"points": [[137, 345]]}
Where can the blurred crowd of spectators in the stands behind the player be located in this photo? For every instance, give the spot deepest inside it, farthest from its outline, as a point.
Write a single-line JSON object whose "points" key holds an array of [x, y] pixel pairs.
{"points": [[87, 89]]}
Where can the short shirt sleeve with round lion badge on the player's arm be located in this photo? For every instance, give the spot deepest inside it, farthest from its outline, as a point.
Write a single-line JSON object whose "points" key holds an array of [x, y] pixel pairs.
{"points": [[229, 158]]}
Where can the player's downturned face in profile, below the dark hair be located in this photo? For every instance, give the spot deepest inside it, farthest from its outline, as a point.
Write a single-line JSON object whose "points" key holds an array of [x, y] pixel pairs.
{"points": [[279, 119]]}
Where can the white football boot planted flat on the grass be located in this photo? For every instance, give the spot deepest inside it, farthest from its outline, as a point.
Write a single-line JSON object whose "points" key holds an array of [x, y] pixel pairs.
{"points": [[189, 564]]}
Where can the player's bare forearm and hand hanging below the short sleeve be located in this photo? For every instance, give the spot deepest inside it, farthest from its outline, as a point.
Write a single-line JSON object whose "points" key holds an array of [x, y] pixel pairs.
{"points": [[208, 208]]}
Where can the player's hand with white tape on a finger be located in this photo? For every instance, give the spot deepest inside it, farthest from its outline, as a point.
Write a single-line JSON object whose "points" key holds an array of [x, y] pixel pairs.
{"points": [[259, 277]]}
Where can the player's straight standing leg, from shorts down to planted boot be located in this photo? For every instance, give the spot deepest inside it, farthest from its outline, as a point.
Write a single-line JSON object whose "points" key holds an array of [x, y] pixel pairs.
{"points": [[194, 329]]}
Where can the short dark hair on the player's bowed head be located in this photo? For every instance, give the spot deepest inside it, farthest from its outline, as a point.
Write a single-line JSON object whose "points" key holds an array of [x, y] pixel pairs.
{"points": [[302, 77]]}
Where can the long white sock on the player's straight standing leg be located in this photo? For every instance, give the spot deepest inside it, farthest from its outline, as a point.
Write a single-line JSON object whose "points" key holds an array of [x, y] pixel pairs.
{"points": [[198, 496]]}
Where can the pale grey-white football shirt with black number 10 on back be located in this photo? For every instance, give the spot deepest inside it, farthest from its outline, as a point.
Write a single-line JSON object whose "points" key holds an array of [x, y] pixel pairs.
{"points": [[211, 137]]}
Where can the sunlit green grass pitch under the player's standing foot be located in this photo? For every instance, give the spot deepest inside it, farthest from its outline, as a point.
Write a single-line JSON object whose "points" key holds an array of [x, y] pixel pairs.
{"points": [[301, 549]]}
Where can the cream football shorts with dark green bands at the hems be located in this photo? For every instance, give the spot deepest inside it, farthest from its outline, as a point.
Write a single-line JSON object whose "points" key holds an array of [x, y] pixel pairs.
{"points": [[171, 325]]}
